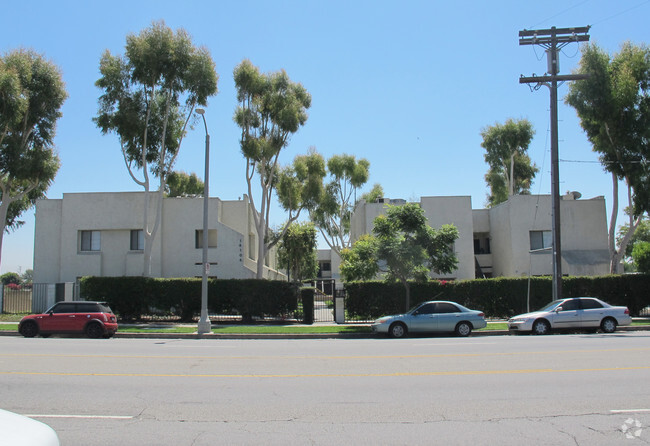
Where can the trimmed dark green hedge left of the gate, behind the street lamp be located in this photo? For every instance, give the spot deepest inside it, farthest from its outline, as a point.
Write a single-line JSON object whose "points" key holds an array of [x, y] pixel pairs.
{"points": [[132, 297]]}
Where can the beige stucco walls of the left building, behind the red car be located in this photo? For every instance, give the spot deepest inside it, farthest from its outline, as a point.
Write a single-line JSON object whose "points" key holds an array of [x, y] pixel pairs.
{"points": [[58, 258]]}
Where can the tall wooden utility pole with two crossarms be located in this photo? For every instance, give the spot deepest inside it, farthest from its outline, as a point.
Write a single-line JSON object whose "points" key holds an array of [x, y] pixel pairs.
{"points": [[553, 40]]}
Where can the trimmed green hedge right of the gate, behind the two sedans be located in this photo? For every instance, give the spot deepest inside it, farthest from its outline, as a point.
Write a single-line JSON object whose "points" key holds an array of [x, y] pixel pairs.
{"points": [[497, 298]]}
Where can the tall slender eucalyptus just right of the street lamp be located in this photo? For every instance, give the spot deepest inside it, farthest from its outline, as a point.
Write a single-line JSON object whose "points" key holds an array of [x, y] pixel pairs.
{"points": [[271, 108]]}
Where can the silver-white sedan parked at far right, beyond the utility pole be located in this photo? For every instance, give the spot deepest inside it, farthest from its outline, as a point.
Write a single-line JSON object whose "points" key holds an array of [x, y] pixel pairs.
{"points": [[586, 313]]}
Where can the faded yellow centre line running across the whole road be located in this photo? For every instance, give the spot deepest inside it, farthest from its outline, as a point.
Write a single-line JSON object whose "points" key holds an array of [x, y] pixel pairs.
{"points": [[332, 375]]}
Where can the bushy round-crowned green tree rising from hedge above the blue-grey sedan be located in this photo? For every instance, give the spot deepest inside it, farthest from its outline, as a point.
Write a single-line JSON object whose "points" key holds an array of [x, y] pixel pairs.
{"points": [[403, 247]]}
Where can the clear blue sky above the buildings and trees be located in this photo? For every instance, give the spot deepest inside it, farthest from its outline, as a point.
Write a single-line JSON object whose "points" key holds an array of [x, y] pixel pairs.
{"points": [[406, 84]]}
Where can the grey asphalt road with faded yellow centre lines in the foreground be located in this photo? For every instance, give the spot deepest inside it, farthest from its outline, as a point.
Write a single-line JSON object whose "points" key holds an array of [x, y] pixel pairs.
{"points": [[590, 389]]}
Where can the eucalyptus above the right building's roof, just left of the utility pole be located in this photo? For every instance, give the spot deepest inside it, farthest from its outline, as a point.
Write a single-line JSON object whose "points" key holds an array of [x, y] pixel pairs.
{"points": [[510, 169]]}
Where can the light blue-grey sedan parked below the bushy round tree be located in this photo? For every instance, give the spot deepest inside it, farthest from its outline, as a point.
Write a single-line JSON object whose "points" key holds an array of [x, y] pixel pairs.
{"points": [[429, 317]]}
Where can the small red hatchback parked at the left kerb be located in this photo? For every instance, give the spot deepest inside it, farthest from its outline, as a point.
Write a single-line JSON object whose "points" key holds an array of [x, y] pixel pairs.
{"points": [[95, 319]]}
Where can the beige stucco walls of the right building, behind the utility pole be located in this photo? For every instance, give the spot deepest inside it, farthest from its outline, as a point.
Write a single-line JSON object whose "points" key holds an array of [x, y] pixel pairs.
{"points": [[508, 226]]}
